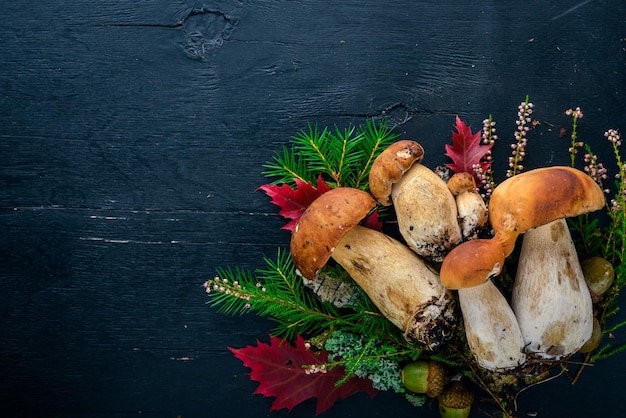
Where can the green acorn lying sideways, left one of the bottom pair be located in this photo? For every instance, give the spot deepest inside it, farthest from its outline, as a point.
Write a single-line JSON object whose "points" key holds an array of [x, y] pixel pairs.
{"points": [[428, 377]]}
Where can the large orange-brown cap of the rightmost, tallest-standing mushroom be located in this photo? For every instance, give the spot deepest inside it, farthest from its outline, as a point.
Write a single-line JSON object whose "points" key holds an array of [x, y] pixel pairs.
{"points": [[538, 197]]}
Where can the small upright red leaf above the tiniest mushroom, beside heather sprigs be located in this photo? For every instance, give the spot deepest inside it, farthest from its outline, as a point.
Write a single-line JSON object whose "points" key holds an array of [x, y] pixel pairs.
{"points": [[466, 149]]}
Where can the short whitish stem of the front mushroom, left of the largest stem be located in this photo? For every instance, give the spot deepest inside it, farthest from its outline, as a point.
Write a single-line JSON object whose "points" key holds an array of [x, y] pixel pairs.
{"points": [[491, 328]]}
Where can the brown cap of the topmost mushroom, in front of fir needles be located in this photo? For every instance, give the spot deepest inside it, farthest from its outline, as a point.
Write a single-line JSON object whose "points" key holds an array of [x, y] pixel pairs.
{"points": [[389, 167]]}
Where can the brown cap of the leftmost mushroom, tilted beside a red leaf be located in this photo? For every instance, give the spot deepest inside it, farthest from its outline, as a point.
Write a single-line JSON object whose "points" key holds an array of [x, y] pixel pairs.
{"points": [[323, 224]]}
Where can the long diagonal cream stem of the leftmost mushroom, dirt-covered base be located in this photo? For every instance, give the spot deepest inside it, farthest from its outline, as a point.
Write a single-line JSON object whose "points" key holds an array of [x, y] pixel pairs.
{"points": [[401, 285]]}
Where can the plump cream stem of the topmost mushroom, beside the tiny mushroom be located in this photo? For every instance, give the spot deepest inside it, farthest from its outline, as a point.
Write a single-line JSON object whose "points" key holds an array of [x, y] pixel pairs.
{"points": [[426, 212]]}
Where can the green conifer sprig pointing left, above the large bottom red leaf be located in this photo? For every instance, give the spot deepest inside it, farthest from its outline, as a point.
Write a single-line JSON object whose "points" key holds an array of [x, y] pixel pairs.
{"points": [[278, 293]]}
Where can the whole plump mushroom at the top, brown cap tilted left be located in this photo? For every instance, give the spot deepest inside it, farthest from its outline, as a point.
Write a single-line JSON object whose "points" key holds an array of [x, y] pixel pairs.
{"points": [[425, 208]]}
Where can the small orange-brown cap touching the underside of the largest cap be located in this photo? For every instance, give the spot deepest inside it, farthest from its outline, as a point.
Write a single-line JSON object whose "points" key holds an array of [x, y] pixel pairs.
{"points": [[472, 263]]}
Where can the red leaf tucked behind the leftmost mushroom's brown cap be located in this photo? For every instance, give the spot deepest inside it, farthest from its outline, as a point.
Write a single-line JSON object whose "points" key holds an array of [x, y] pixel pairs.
{"points": [[293, 202]]}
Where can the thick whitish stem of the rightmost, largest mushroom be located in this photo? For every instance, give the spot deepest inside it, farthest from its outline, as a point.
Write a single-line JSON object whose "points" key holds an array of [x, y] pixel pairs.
{"points": [[550, 298]]}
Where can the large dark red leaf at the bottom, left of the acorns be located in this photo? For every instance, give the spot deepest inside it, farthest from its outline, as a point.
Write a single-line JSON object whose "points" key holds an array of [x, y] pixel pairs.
{"points": [[278, 369]]}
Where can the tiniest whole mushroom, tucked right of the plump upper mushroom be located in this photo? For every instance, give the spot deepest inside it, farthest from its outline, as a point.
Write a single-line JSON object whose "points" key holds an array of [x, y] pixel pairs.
{"points": [[471, 207]]}
